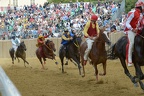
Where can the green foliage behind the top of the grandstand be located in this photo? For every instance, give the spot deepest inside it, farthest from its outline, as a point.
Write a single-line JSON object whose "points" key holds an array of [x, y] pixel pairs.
{"points": [[129, 4]]}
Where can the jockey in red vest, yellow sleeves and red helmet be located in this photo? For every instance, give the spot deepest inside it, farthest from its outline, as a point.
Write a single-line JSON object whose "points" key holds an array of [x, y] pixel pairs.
{"points": [[91, 32]]}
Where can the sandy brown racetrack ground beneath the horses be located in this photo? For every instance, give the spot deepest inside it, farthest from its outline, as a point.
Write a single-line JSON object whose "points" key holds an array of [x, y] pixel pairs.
{"points": [[52, 82]]}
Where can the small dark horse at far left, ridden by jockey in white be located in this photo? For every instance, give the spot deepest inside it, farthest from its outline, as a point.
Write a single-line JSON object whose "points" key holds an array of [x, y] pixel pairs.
{"points": [[20, 53]]}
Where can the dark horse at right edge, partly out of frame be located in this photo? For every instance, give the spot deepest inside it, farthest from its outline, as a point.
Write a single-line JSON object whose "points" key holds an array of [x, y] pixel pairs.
{"points": [[119, 50]]}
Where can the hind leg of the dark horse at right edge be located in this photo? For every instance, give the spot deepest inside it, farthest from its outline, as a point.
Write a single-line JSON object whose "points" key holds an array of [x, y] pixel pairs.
{"points": [[122, 60]]}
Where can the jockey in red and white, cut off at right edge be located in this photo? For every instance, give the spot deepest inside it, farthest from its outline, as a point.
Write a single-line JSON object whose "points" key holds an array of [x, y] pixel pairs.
{"points": [[132, 25]]}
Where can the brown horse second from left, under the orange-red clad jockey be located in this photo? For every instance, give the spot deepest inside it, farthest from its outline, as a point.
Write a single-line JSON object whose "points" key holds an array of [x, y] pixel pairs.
{"points": [[48, 52]]}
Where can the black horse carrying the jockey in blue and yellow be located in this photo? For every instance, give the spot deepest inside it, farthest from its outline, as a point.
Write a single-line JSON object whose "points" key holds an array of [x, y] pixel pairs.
{"points": [[71, 53]]}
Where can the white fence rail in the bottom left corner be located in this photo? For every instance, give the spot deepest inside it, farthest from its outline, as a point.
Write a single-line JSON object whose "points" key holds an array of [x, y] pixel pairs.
{"points": [[7, 88]]}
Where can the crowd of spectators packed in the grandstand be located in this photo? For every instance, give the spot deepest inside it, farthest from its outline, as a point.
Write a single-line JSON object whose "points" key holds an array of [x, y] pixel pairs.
{"points": [[30, 21]]}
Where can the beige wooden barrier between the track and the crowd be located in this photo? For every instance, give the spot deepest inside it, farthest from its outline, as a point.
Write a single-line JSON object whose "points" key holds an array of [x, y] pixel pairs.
{"points": [[5, 45]]}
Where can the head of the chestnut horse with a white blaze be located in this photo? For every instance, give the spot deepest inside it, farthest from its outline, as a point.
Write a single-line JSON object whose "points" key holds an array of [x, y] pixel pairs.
{"points": [[103, 35]]}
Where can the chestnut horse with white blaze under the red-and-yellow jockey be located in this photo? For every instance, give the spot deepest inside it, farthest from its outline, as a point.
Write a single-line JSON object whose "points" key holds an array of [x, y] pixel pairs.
{"points": [[98, 53]]}
